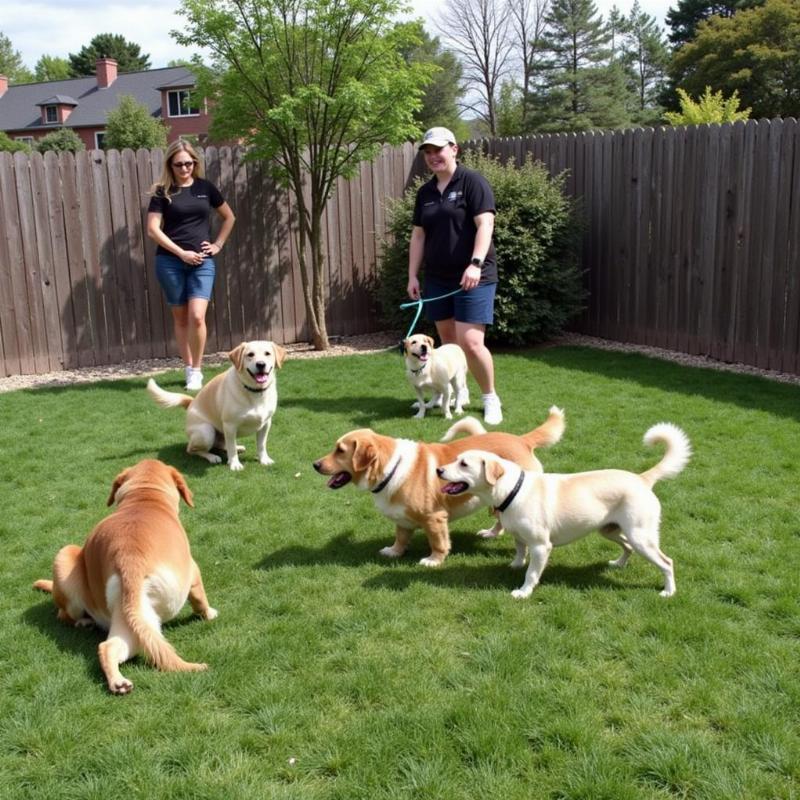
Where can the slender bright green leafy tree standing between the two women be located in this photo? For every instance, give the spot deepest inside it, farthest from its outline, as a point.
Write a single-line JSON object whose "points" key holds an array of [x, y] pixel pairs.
{"points": [[314, 87]]}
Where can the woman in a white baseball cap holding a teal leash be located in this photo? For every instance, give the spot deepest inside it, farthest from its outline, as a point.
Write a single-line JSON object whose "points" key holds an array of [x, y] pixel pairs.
{"points": [[452, 235]]}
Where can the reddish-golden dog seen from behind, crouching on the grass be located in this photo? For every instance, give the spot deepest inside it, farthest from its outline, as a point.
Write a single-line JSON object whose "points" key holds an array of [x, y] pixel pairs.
{"points": [[134, 572]]}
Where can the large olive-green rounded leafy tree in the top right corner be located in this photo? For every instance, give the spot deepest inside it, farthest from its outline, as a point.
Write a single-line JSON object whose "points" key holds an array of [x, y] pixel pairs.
{"points": [[755, 53]]}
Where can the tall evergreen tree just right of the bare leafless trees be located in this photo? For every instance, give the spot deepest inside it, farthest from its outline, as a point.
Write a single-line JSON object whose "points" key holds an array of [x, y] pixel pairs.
{"points": [[582, 88]]}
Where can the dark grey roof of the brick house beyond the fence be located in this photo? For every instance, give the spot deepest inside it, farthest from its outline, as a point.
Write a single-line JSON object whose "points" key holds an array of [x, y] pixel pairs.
{"points": [[20, 105]]}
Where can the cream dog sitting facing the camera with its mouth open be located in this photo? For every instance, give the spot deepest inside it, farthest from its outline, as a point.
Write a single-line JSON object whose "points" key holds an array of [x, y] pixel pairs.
{"points": [[238, 402]]}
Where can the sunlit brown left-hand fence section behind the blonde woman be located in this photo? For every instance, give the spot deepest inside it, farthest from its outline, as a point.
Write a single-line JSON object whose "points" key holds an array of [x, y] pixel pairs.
{"points": [[77, 280]]}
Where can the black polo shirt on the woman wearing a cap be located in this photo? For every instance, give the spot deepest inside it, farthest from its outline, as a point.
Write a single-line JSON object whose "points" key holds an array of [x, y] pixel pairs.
{"points": [[448, 220]]}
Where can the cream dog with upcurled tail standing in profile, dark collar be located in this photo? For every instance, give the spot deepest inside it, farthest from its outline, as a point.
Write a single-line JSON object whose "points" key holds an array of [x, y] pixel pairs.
{"points": [[543, 511]]}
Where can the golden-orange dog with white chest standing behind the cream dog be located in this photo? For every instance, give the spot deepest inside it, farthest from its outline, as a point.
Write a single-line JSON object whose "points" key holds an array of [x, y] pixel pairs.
{"points": [[401, 476]]}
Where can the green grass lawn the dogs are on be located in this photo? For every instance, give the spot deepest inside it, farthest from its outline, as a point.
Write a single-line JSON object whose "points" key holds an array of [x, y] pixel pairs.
{"points": [[336, 674]]}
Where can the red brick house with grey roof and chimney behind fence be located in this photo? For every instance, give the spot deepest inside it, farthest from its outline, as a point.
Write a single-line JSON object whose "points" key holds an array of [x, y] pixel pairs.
{"points": [[29, 111]]}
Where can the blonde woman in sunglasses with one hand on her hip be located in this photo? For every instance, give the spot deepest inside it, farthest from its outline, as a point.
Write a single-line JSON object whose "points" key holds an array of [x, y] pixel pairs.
{"points": [[178, 221]]}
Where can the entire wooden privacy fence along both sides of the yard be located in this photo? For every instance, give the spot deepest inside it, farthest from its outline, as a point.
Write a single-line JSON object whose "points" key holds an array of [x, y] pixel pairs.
{"points": [[690, 243]]}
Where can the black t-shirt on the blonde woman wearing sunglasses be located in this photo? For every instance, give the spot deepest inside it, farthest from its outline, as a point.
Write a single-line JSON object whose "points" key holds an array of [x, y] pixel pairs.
{"points": [[186, 217]]}
